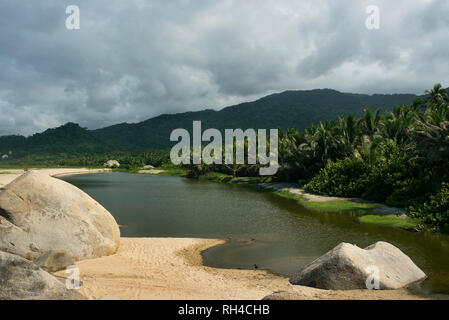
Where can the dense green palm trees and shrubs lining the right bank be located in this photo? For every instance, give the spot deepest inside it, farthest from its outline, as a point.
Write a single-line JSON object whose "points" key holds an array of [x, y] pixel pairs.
{"points": [[400, 157]]}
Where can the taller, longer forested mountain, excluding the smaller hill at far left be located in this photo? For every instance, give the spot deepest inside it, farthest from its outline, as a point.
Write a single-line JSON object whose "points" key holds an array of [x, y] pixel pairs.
{"points": [[290, 109]]}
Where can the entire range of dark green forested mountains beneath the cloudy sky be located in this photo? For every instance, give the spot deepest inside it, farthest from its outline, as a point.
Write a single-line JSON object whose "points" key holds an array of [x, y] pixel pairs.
{"points": [[298, 109]]}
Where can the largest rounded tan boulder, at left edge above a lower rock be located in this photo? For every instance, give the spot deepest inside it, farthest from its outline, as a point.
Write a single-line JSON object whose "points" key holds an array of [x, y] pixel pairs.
{"points": [[39, 214]]}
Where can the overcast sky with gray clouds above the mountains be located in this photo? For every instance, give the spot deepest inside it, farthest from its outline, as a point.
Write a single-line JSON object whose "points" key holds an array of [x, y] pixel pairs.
{"points": [[136, 59]]}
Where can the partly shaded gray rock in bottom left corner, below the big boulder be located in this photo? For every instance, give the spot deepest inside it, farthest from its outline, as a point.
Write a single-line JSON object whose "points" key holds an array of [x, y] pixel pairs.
{"points": [[20, 279]]}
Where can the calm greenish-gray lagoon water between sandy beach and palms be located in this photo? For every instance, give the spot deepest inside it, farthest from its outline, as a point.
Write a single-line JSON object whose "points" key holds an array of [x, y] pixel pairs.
{"points": [[265, 229]]}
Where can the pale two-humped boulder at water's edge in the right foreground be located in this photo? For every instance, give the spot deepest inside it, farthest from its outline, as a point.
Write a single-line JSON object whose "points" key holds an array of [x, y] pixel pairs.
{"points": [[348, 267]]}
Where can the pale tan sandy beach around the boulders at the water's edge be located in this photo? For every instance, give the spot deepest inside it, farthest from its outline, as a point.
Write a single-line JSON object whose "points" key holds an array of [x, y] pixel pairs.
{"points": [[172, 268]]}
